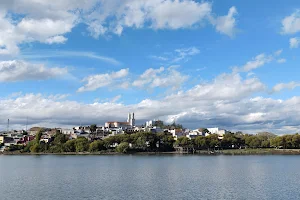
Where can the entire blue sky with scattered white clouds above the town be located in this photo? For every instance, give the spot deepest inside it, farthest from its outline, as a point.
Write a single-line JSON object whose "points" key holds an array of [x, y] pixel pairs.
{"points": [[229, 64]]}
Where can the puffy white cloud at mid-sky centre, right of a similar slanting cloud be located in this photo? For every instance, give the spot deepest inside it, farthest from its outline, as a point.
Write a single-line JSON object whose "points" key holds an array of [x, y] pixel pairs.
{"points": [[164, 78]]}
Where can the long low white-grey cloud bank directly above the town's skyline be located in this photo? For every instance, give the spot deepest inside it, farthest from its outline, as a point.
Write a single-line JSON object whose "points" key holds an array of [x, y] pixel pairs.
{"points": [[227, 102]]}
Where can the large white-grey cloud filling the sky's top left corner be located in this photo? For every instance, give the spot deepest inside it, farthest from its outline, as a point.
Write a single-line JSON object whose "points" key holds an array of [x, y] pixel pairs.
{"points": [[39, 21]]}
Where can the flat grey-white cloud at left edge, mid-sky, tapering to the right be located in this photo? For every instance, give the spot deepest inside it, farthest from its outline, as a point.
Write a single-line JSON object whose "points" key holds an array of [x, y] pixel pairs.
{"points": [[18, 70]]}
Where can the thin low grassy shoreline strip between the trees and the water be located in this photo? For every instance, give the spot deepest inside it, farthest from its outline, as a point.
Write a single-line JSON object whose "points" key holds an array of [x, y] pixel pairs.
{"points": [[229, 152]]}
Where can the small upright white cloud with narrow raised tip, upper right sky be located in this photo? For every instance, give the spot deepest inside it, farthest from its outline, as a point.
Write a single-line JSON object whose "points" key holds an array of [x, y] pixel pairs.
{"points": [[227, 24]]}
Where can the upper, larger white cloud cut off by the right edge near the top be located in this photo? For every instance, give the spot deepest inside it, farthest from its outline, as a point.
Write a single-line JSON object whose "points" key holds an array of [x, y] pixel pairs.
{"points": [[291, 24]]}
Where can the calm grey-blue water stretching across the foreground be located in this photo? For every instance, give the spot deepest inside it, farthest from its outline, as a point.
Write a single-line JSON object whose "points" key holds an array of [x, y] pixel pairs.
{"points": [[149, 177]]}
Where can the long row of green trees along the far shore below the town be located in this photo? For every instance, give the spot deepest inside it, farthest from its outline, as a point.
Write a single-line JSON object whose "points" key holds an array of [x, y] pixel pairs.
{"points": [[161, 142]]}
